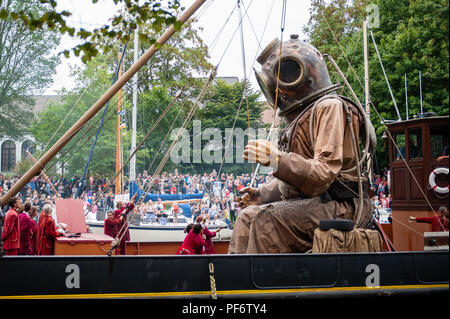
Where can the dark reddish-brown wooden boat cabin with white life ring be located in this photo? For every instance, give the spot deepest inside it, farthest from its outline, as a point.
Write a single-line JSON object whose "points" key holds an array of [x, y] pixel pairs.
{"points": [[418, 182]]}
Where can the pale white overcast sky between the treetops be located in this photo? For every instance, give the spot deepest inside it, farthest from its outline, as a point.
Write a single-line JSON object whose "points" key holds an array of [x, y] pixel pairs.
{"points": [[261, 24]]}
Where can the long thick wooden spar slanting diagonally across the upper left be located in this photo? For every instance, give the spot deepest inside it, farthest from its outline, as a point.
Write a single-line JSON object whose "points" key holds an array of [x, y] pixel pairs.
{"points": [[37, 167]]}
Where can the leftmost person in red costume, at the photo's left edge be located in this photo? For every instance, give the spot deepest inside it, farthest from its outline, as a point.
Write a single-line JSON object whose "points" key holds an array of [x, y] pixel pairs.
{"points": [[11, 227]]}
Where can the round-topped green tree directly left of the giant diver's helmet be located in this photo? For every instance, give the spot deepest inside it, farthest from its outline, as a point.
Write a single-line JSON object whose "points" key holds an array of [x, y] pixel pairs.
{"points": [[227, 119]]}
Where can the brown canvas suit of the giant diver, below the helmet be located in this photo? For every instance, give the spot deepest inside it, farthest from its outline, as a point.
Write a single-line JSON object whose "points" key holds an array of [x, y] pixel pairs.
{"points": [[292, 205]]}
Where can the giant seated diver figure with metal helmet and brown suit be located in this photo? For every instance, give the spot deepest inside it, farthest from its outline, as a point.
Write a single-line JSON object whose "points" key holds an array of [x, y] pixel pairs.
{"points": [[314, 164]]}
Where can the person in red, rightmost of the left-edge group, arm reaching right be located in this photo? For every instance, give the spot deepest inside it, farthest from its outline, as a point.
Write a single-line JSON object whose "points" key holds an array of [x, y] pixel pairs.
{"points": [[47, 233]]}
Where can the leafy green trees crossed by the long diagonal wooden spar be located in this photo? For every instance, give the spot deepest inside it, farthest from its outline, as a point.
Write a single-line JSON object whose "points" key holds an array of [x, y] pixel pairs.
{"points": [[156, 87]]}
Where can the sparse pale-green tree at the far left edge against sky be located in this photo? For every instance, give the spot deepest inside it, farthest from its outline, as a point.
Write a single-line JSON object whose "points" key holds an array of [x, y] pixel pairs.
{"points": [[26, 66]]}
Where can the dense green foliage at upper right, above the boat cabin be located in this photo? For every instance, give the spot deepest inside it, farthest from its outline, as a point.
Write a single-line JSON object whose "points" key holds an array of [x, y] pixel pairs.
{"points": [[412, 36]]}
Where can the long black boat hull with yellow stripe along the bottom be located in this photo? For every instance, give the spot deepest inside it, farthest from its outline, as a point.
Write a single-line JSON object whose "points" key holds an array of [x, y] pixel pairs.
{"points": [[233, 276]]}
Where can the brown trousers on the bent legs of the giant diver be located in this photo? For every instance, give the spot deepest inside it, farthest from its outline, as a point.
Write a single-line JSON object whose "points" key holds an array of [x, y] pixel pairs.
{"points": [[288, 226]]}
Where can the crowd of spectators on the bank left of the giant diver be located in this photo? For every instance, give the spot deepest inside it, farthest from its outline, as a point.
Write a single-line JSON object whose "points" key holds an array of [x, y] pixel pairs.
{"points": [[219, 191]]}
